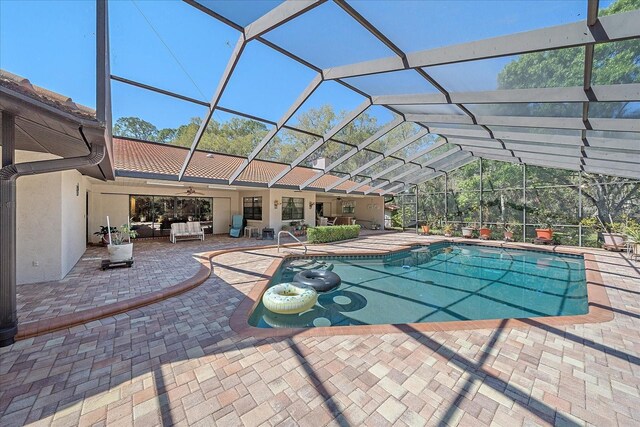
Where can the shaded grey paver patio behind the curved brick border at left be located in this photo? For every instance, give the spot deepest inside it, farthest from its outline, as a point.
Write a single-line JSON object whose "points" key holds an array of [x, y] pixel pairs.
{"points": [[158, 264]]}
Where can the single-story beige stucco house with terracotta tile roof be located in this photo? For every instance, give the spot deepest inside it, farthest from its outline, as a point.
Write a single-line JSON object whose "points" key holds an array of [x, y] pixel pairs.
{"points": [[57, 214]]}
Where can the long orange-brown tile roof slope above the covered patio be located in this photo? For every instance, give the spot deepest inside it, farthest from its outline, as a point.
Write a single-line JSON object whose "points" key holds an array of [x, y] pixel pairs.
{"points": [[163, 159]]}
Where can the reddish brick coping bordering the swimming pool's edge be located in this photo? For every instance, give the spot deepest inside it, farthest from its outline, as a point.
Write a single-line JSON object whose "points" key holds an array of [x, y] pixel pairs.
{"points": [[598, 301]]}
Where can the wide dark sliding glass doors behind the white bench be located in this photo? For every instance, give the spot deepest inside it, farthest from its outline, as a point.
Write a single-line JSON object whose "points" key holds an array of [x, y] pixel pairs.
{"points": [[152, 216]]}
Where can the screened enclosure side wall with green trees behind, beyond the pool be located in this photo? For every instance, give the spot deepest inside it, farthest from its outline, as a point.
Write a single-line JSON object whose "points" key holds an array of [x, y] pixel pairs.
{"points": [[493, 193]]}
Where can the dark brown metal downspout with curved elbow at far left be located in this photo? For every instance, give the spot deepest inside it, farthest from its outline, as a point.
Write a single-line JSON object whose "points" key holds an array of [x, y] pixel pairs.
{"points": [[8, 176]]}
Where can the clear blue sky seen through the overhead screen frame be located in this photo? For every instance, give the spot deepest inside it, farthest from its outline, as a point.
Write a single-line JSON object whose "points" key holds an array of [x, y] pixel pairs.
{"points": [[171, 45]]}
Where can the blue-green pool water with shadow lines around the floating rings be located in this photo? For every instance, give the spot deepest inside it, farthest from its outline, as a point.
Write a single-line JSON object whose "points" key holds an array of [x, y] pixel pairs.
{"points": [[437, 283]]}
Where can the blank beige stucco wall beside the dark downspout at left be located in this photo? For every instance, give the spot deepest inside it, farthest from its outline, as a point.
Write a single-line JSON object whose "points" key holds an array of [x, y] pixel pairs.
{"points": [[50, 222]]}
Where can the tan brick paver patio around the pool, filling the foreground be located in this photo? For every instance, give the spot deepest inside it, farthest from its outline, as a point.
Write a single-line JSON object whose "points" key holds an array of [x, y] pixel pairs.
{"points": [[179, 362]]}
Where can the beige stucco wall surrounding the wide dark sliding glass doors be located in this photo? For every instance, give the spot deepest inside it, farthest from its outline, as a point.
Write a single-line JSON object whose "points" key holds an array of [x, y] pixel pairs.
{"points": [[112, 199]]}
